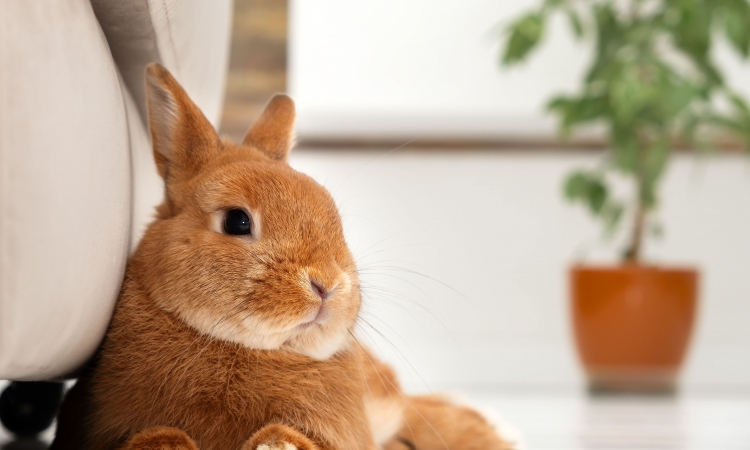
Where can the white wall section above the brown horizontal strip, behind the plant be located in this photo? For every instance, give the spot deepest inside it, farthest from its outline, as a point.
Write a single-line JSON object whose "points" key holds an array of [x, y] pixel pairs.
{"points": [[409, 68]]}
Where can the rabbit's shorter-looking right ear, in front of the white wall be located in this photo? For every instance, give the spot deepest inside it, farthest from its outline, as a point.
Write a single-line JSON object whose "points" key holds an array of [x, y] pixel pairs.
{"points": [[273, 132]]}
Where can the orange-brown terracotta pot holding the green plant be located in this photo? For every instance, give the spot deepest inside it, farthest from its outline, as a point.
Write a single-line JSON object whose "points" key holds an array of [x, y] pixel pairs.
{"points": [[632, 324]]}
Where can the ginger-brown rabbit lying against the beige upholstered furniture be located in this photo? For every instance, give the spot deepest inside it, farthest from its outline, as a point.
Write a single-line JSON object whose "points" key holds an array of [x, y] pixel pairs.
{"points": [[234, 326]]}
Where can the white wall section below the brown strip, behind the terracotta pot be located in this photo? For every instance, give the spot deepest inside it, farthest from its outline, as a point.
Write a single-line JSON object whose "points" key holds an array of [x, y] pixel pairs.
{"points": [[464, 258]]}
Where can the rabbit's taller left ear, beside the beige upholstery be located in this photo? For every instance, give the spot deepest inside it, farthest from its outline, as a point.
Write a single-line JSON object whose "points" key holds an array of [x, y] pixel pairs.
{"points": [[182, 137]]}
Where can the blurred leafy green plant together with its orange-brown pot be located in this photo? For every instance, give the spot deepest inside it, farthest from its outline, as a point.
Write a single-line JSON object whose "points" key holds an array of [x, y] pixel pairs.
{"points": [[652, 84]]}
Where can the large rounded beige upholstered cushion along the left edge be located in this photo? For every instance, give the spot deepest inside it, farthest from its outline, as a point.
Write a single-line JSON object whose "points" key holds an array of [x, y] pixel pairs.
{"points": [[65, 186]]}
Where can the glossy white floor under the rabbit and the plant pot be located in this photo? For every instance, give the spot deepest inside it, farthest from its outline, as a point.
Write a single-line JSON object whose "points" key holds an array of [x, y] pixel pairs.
{"points": [[571, 421]]}
